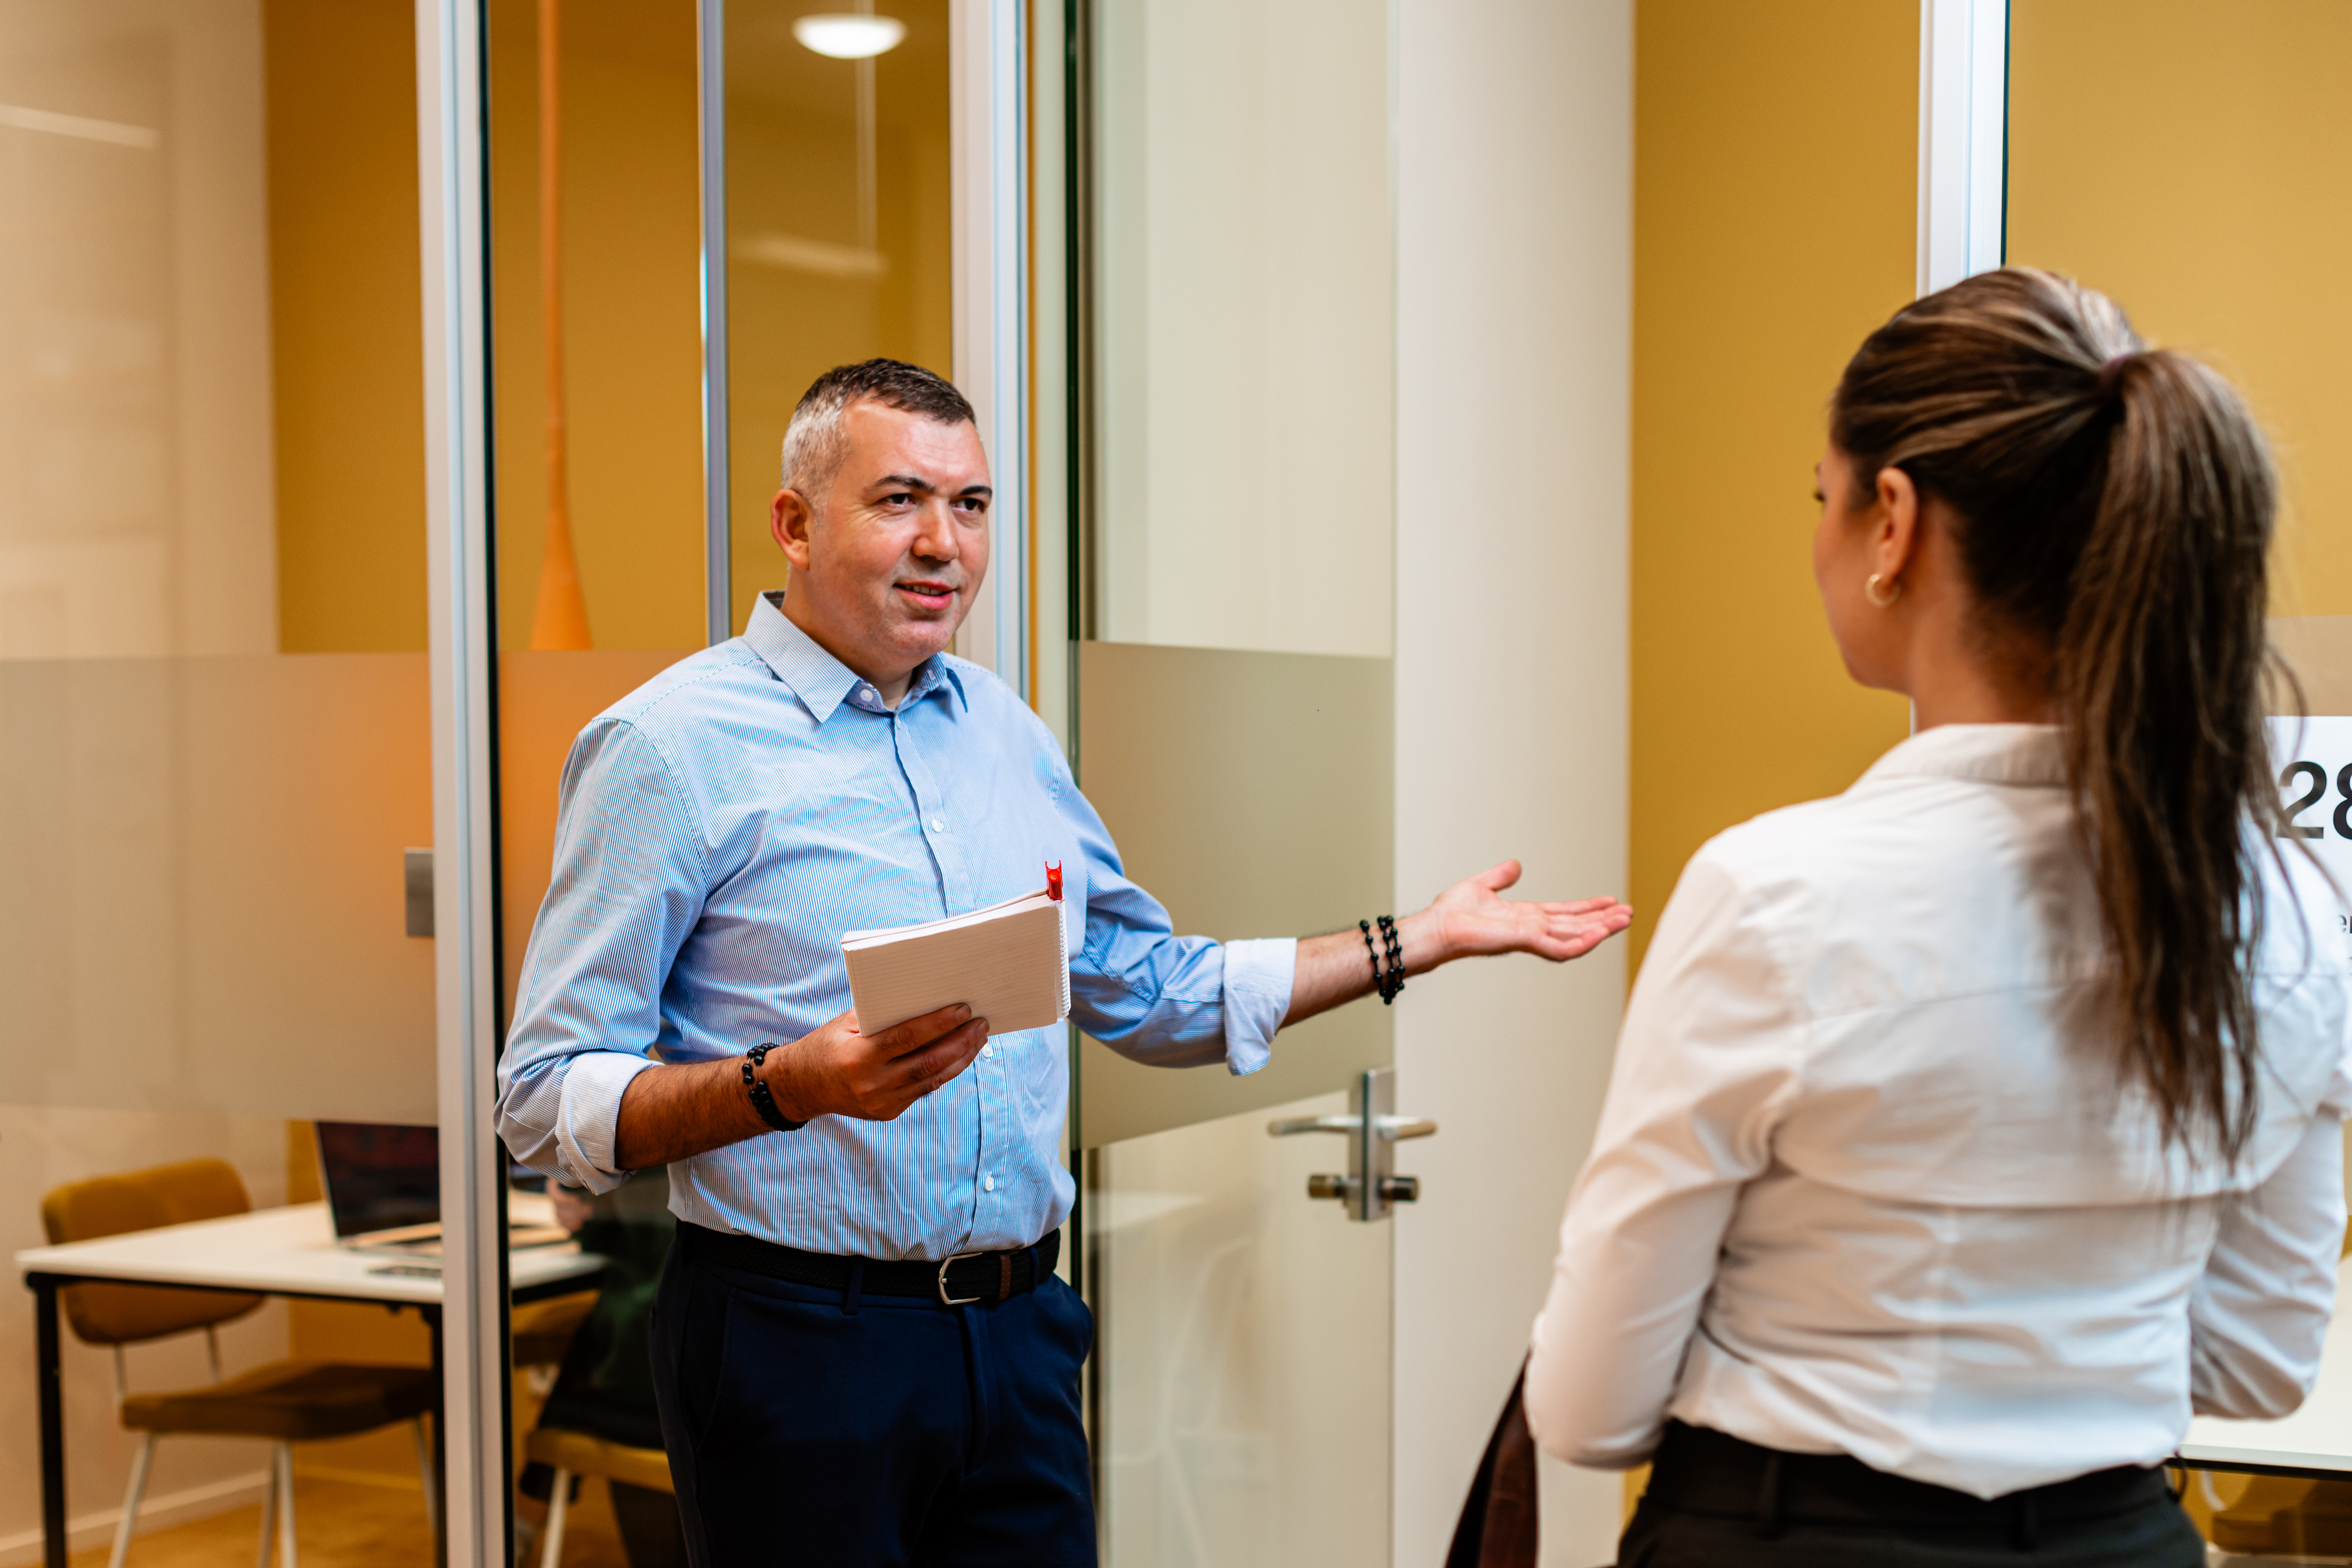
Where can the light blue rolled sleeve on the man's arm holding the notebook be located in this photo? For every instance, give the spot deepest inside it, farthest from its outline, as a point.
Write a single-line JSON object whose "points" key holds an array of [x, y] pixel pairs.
{"points": [[624, 894]]}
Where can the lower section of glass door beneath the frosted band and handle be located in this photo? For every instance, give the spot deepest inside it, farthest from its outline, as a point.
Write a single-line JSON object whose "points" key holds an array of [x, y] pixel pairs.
{"points": [[1245, 1419]]}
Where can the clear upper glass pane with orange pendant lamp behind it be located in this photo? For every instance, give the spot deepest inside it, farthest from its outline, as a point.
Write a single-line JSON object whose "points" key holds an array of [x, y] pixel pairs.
{"points": [[596, 262]]}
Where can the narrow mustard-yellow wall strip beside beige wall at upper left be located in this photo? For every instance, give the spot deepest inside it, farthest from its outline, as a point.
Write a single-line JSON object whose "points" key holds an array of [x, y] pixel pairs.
{"points": [[347, 349]]}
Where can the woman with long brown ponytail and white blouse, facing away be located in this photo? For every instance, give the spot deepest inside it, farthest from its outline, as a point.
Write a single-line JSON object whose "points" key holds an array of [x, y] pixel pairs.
{"points": [[1979, 1125]]}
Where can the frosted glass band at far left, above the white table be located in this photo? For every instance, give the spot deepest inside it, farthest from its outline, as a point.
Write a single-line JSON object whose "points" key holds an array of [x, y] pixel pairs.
{"points": [[206, 904]]}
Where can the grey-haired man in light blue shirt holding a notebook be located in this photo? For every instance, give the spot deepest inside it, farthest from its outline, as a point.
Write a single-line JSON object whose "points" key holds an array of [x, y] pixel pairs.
{"points": [[860, 1343]]}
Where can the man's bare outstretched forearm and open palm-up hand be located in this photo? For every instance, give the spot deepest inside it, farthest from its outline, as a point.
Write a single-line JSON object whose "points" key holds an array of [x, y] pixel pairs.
{"points": [[1469, 920]]}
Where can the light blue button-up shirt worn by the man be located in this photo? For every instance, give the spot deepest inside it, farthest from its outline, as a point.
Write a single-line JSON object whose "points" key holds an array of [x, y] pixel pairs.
{"points": [[723, 826]]}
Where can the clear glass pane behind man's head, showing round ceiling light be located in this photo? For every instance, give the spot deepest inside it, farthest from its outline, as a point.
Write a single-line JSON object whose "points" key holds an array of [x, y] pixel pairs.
{"points": [[838, 229]]}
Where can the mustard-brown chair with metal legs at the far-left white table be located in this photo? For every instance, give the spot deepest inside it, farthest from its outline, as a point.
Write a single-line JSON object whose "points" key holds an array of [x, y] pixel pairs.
{"points": [[286, 1402]]}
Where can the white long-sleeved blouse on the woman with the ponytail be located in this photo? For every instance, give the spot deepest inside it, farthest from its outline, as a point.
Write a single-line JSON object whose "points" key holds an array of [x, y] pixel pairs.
{"points": [[1869, 1181]]}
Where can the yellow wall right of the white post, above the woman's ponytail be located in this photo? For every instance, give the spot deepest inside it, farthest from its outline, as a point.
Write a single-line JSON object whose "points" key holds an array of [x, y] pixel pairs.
{"points": [[2191, 159]]}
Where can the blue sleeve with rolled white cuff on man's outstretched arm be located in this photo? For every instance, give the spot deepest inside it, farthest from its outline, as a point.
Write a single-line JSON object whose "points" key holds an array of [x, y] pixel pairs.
{"points": [[1158, 998]]}
